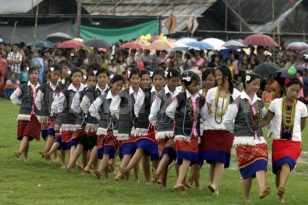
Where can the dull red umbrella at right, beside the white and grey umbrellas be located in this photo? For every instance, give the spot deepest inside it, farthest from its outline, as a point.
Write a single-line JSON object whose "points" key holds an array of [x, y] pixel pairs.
{"points": [[259, 40]]}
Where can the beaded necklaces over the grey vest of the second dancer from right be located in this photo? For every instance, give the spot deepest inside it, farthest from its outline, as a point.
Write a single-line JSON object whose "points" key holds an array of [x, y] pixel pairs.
{"points": [[252, 117]]}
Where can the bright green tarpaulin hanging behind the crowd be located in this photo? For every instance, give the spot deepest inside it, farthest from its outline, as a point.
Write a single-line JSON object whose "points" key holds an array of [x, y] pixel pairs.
{"points": [[113, 35]]}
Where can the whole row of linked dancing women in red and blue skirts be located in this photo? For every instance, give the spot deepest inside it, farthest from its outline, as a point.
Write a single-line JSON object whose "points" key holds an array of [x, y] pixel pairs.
{"points": [[147, 115]]}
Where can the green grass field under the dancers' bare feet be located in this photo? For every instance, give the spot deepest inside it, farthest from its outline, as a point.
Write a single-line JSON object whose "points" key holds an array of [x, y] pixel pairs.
{"points": [[46, 184]]}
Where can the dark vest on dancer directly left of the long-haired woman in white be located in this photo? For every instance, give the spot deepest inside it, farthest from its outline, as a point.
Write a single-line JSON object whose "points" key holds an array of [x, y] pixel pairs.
{"points": [[184, 115]]}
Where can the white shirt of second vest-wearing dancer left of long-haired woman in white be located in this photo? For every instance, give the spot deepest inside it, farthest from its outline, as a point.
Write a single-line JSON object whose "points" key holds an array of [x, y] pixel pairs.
{"points": [[155, 107]]}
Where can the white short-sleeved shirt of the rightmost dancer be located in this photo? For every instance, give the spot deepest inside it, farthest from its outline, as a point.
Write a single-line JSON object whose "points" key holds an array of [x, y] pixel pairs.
{"points": [[275, 127]]}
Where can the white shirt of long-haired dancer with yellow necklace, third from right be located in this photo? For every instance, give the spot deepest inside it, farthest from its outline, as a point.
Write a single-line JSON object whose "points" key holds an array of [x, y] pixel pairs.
{"points": [[210, 123]]}
